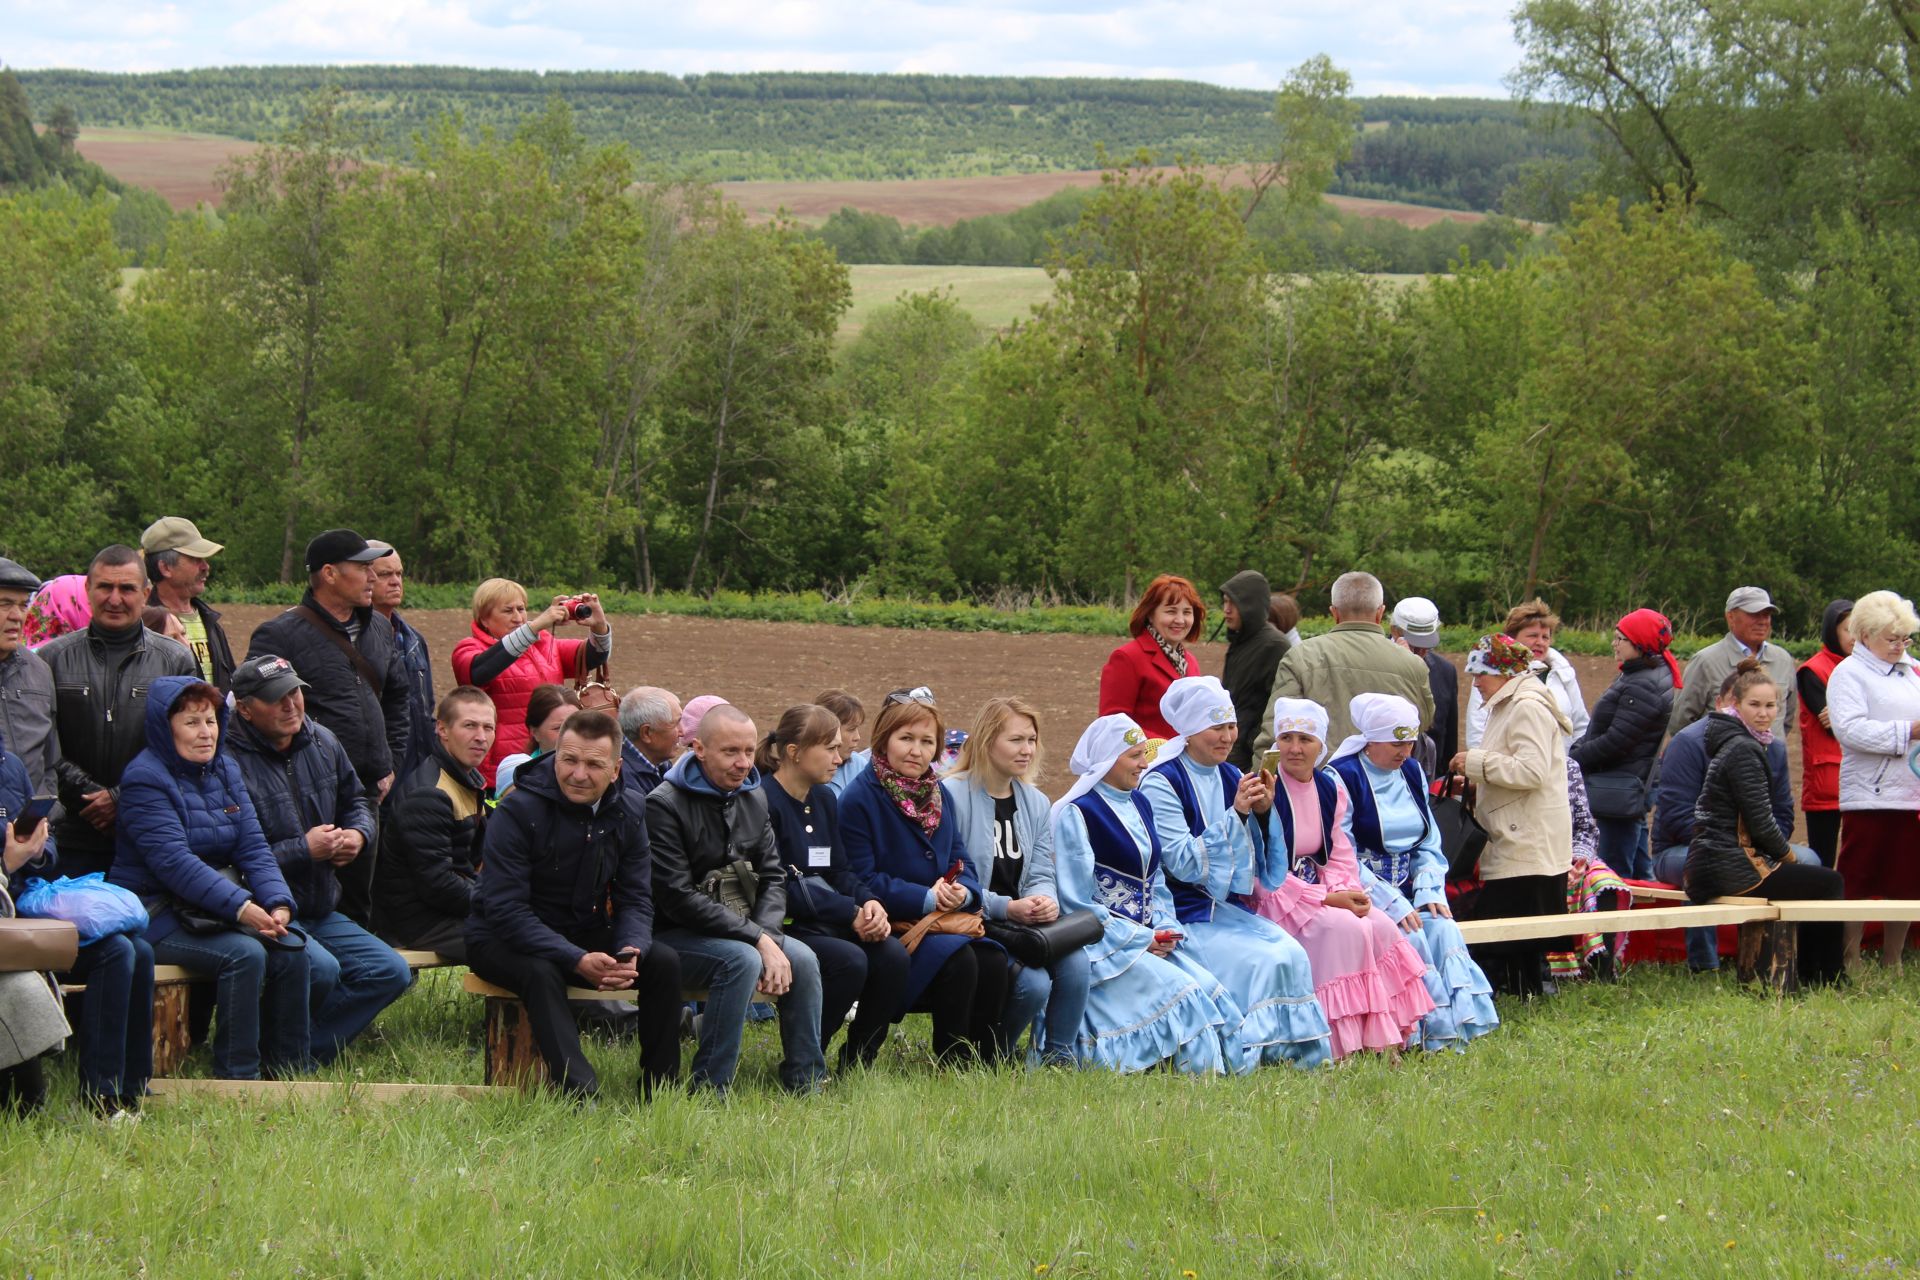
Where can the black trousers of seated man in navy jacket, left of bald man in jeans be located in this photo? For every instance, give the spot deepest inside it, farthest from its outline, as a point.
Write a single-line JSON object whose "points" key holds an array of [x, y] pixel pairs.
{"points": [[542, 985]]}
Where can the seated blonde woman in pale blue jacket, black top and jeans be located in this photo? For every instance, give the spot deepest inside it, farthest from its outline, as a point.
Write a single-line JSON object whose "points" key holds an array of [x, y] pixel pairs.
{"points": [[1003, 824]]}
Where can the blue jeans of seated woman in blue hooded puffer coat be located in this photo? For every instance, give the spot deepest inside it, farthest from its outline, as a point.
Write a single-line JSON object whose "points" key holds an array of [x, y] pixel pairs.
{"points": [[260, 1001]]}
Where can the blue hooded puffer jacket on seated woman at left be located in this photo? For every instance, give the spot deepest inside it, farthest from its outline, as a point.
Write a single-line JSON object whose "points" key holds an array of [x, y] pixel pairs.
{"points": [[181, 822]]}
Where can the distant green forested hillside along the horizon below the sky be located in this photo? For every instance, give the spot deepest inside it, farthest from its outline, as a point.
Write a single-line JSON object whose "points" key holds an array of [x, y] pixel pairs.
{"points": [[1451, 153]]}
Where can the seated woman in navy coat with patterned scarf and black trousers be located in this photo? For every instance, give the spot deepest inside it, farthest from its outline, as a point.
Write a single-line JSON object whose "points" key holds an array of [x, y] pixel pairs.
{"points": [[903, 849]]}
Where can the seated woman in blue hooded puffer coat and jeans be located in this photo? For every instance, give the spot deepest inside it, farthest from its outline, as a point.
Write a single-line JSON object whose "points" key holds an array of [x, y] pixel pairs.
{"points": [[189, 836]]}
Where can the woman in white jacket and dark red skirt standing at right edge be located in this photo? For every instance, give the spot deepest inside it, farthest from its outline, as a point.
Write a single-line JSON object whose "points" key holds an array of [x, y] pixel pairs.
{"points": [[1873, 699]]}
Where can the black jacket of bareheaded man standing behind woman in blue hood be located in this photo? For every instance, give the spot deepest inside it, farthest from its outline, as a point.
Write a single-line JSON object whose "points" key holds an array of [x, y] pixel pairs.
{"points": [[101, 724]]}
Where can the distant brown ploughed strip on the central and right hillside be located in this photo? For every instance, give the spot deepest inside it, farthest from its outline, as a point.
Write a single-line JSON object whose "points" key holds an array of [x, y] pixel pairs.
{"points": [[944, 202]]}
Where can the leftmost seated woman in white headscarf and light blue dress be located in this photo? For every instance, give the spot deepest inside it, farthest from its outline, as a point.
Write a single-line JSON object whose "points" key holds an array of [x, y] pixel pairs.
{"points": [[1143, 1008]]}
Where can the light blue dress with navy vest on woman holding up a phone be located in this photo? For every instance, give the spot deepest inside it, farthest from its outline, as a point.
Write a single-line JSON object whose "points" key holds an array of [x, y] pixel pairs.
{"points": [[1209, 855]]}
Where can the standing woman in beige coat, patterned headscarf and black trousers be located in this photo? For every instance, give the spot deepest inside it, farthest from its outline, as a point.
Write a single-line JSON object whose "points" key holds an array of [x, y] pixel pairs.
{"points": [[1522, 772]]}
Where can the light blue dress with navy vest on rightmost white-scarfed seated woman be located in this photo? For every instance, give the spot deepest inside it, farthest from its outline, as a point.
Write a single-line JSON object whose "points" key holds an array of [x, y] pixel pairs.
{"points": [[1404, 868]]}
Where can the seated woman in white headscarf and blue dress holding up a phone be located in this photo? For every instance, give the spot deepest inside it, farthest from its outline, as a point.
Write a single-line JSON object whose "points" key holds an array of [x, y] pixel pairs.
{"points": [[1205, 813]]}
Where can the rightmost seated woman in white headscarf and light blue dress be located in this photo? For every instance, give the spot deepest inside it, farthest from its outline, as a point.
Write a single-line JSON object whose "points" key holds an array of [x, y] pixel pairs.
{"points": [[1397, 840]]}
